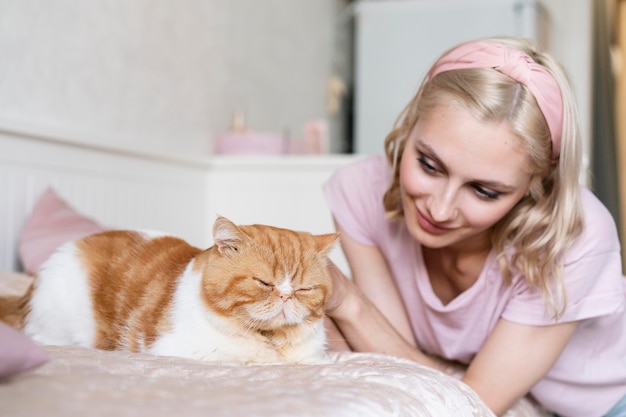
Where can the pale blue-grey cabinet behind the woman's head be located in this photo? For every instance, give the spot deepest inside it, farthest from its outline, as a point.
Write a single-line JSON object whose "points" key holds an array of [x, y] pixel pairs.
{"points": [[387, 76]]}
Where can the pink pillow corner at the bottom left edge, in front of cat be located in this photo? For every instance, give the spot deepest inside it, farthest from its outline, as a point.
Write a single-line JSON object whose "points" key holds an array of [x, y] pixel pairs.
{"points": [[18, 353]]}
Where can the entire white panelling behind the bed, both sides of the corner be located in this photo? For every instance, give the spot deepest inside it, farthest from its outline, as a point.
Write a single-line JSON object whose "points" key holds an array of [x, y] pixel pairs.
{"points": [[181, 195]]}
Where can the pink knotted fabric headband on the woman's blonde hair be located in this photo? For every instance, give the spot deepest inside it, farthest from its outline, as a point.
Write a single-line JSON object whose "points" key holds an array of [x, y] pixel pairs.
{"points": [[517, 65]]}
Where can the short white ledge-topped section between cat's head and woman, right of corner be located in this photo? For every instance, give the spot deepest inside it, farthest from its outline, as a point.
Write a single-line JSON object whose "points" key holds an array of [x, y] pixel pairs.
{"points": [[283, 191]]}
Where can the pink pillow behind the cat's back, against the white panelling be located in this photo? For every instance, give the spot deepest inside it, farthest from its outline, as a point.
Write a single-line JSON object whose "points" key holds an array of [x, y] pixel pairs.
{"points": [[52, 223]]}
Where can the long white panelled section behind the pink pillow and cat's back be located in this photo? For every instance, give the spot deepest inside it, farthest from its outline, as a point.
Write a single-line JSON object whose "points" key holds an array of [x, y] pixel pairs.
{"points": [[117, 189]]}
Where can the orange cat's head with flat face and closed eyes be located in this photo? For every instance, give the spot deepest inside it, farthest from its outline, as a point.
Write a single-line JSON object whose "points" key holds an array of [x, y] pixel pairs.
{"points": [[266, 277]]}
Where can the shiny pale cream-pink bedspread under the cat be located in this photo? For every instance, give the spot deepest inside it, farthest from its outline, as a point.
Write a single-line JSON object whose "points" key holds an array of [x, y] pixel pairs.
{"points": [[87, 382]]}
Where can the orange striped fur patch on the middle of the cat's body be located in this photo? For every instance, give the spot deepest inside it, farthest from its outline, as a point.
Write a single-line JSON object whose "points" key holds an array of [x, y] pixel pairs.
{"points": [[132, 282]]}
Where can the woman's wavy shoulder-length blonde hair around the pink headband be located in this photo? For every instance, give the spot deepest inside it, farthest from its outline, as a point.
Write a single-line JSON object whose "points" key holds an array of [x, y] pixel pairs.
{"points": [[532, 237]]}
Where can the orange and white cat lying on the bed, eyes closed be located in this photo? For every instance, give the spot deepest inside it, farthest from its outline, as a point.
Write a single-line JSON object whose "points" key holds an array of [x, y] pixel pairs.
{"points": [[256, 296]]}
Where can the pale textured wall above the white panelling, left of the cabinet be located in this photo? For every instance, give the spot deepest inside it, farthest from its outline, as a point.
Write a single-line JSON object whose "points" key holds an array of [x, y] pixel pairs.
{"points": [[163, 74]]}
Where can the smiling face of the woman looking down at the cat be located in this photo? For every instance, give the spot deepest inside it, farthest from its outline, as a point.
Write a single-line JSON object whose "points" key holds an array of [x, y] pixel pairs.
{"points": [[459, 176]]}
